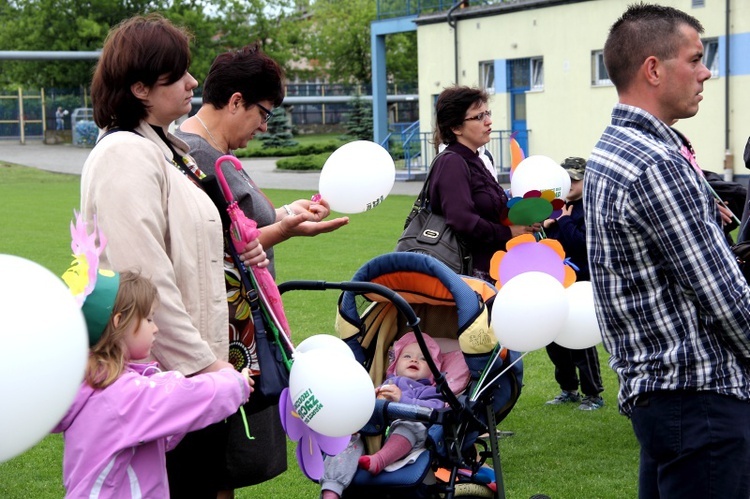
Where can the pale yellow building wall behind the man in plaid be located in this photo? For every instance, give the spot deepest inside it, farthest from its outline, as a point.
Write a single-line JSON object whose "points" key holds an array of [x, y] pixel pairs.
{"points": [[567, 117]]}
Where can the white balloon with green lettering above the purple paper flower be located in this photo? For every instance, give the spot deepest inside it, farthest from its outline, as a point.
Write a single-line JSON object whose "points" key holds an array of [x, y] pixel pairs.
{"points": [[331, 392]]}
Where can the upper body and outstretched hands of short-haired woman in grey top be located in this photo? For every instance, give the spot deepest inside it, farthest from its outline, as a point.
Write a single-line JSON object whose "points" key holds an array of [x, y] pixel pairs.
{"points": [[240, 91]]}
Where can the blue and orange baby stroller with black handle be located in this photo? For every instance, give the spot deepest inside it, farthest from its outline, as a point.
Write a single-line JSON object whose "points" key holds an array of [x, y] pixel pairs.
{"points": [[401, 292]]}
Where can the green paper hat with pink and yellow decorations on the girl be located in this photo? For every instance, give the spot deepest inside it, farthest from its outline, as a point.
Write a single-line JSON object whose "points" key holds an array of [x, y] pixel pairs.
{"points": [[94, 289]]}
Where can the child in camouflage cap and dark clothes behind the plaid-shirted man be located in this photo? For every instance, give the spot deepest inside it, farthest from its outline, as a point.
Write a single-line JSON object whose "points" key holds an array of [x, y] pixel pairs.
{"points": [[570, 230]]}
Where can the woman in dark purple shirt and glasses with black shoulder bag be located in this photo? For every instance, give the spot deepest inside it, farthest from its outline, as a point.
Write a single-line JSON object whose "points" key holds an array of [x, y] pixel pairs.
{"points": [[461, 188]]}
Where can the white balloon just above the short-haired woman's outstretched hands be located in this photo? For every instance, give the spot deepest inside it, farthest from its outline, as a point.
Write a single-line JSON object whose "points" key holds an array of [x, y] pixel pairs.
{"points": [[357, 177]]}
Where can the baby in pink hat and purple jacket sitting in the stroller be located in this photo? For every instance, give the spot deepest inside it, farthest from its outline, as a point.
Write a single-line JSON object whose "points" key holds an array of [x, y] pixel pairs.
{"points": [[409, 381]]}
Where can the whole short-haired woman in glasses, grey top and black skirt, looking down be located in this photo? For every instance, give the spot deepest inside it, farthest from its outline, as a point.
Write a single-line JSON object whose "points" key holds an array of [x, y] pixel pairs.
{"points": [[239, 93]]}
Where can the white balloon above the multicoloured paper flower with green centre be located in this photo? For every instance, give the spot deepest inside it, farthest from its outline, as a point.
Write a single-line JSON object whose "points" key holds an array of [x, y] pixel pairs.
{"points": [[539, 173]]}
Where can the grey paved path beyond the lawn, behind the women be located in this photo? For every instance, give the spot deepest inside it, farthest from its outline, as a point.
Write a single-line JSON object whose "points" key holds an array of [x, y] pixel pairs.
{"points": [[66, 158]]}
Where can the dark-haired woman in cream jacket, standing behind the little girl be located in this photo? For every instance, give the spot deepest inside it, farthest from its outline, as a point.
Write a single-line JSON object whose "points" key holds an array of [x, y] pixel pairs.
{"points": [[143, 190]]}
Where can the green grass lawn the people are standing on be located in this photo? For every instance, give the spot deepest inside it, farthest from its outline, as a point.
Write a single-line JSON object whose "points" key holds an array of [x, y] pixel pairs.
{"points": [[558, 451]]}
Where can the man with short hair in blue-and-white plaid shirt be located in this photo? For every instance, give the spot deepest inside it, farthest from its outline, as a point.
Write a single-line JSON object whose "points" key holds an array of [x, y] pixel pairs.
{"points": [[673, 307]]}
